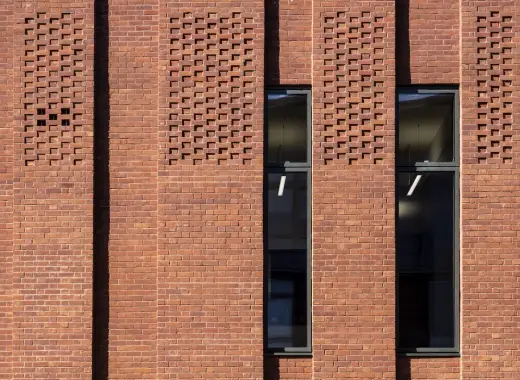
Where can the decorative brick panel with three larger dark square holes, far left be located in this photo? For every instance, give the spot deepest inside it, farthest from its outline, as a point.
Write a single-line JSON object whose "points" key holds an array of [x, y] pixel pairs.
{"points": [[53, 81]]}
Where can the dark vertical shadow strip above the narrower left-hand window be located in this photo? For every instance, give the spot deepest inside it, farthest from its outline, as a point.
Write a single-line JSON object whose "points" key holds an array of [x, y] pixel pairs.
{"points": [[272, 42]]}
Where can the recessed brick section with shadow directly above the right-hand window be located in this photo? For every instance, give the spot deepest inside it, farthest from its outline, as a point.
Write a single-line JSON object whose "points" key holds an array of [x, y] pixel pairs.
{"points": [[428, 34]]}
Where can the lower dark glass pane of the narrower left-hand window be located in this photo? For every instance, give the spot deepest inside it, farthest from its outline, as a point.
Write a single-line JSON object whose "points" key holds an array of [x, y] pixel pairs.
{"points": [[287, 260]]}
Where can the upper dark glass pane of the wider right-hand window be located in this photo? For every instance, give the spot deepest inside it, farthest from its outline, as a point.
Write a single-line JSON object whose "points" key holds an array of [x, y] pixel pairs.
{"points": [[425, 128]]}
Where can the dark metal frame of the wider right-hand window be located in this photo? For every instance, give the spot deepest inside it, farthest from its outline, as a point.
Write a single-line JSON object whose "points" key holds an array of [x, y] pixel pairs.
{"points": [[432, 167]]}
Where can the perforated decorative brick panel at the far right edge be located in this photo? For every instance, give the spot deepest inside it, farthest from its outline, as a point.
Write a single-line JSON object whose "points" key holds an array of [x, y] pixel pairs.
{"points": [[494, 76]]}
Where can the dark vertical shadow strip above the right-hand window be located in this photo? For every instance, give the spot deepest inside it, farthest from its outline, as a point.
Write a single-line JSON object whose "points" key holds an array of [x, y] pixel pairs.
{"points": [[402, 41]]}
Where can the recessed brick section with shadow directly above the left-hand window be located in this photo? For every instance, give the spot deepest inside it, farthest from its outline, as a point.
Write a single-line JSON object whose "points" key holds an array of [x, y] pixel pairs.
{"points": [[288, 42]]}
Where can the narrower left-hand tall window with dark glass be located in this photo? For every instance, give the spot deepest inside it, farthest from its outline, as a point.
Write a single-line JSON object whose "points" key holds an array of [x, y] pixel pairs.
{"points": [[287, 195]]}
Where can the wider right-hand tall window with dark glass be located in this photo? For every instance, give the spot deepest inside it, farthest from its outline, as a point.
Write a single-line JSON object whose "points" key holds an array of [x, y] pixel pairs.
{"points": [[427, 221]]}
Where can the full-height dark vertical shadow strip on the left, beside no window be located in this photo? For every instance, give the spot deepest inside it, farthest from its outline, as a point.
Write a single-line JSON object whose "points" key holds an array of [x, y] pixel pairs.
{"points": [[100, 275]]}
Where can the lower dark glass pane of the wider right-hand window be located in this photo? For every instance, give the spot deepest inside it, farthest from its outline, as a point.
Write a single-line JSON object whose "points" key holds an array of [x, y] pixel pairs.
{"points": [[425, 259]]}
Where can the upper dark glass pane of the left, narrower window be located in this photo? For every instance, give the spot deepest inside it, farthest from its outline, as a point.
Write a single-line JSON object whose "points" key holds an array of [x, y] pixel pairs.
{"points": [[286, 128]]}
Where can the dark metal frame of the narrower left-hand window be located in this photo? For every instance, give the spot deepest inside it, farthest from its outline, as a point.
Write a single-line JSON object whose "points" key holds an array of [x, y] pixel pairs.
{"points": [[288, 167]]}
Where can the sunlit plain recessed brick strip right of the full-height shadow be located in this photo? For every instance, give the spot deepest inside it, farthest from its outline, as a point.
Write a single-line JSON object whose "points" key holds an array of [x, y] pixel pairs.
{"points": [[133, 156]]}
